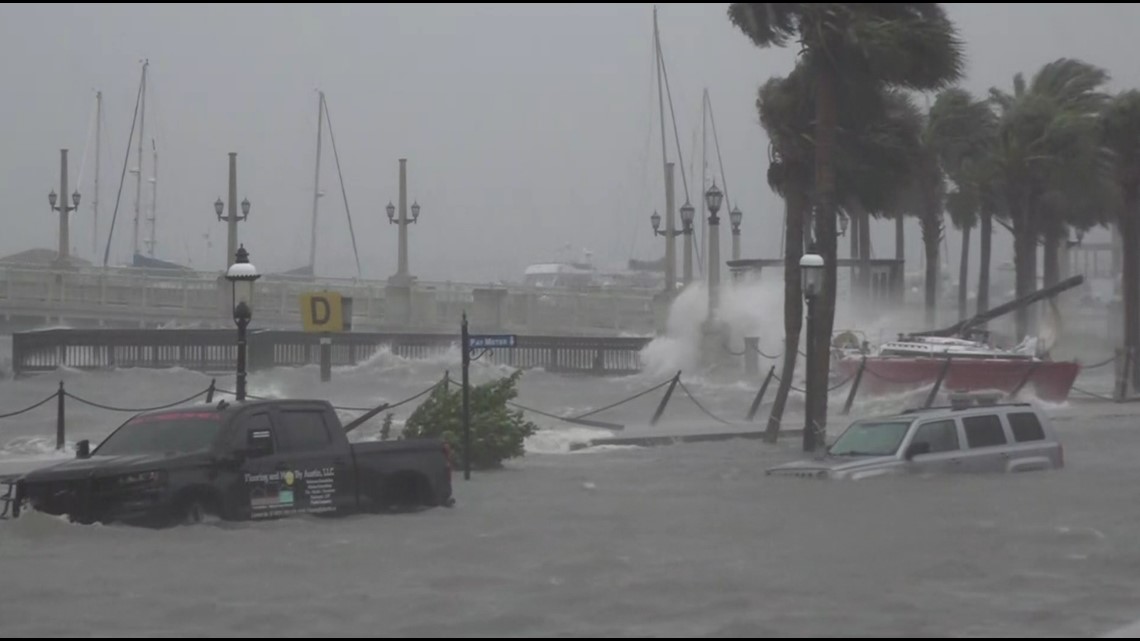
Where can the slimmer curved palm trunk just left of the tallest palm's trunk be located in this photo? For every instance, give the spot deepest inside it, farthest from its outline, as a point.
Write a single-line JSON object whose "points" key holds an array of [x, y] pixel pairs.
{"points": [[795, 208]]}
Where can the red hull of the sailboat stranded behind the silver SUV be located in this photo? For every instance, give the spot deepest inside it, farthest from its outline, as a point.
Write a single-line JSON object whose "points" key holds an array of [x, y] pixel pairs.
{"points": [[1048, 380]]}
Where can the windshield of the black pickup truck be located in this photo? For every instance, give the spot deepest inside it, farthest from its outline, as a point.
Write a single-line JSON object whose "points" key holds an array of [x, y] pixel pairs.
{"points": [[159, 434]]}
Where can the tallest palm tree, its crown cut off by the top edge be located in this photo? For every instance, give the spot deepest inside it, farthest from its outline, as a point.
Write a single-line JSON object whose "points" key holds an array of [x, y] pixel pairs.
{"points": [[911, 46]]}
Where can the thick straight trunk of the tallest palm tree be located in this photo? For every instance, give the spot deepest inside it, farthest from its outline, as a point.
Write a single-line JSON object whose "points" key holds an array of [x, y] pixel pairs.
{"points": [[827, 117]]}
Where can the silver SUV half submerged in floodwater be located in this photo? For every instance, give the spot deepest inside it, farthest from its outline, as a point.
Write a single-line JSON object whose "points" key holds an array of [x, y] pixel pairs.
{"points": [[960, 439]]}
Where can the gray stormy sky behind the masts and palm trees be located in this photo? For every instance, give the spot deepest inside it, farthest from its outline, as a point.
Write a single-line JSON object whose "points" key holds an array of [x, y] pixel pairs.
{"points": [[526, 127]]}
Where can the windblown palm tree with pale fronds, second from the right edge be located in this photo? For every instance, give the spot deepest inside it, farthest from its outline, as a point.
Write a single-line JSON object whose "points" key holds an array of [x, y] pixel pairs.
{"points": [[1041, 128]]}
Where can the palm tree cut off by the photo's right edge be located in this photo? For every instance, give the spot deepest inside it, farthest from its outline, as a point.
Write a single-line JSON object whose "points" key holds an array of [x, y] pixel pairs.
{"points": [[1121, 134]]}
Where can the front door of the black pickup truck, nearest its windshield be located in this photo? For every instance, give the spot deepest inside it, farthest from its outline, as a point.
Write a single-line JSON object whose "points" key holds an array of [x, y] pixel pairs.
{"points": [[264, 489]]}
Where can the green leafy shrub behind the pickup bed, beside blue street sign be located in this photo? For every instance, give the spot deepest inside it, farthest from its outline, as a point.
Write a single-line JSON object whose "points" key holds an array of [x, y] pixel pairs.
{"points": [[498, 433]]}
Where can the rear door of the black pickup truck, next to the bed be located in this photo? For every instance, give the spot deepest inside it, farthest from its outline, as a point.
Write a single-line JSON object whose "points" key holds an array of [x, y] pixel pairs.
{"points": [[323, 472]]}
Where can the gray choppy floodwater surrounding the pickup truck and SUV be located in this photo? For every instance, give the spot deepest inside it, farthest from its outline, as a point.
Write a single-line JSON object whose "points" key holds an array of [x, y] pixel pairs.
{"points": [[666, 541]]}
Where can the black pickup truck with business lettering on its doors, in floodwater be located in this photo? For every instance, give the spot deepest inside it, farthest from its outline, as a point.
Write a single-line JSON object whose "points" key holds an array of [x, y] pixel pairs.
{"points": [[242, 461]]}
